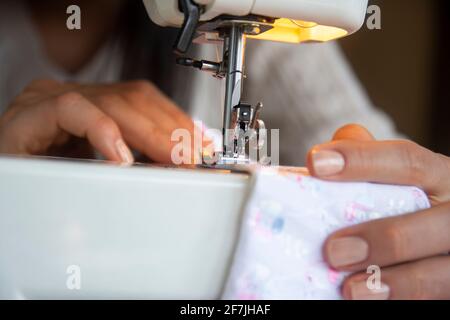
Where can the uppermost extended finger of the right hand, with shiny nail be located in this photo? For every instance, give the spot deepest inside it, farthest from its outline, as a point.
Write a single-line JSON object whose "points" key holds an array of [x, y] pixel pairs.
{"points": [[392, 162]]}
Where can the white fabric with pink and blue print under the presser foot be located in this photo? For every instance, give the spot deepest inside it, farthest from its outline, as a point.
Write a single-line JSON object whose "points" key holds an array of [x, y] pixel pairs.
{"points": [[285, 223]]}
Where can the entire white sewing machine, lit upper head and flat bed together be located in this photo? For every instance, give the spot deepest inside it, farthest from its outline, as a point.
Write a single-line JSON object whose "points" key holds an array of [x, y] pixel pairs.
{"points": [[153, 232]]}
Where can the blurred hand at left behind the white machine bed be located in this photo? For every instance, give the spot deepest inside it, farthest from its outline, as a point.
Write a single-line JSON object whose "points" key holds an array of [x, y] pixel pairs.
{"points": [[111, 117]]}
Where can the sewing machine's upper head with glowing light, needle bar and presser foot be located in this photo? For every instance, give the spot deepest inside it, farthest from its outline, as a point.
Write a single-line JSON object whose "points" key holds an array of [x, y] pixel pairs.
{"points": [[231, 22]]}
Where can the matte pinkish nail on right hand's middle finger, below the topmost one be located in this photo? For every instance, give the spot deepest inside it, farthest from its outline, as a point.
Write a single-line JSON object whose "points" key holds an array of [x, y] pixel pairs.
{"points": [[344, 252]]}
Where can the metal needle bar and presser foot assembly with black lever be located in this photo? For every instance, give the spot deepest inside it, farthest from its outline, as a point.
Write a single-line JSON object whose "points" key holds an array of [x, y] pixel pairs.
{"points": [[240, 120]]}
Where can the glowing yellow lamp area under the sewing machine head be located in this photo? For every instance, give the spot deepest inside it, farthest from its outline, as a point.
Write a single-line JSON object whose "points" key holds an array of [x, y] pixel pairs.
{"points": [[294, 31]]}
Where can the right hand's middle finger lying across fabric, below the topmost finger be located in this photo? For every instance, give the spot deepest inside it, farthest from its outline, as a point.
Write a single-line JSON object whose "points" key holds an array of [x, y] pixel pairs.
{"points": [[390, 241]]}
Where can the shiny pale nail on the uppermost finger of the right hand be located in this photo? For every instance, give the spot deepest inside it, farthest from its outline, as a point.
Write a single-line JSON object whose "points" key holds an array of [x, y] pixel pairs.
{"points": [[327, 162]]}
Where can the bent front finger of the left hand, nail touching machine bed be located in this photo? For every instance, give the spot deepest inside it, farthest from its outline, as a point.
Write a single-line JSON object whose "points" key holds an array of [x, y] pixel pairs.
{"points": [[35, 129]]}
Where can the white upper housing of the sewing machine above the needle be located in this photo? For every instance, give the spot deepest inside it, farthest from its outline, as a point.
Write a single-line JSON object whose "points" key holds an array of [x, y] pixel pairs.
{"points": [[347, 15]]}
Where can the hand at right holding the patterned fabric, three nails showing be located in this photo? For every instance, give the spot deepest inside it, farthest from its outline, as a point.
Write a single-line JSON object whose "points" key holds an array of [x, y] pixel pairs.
{"points": [[411, 250]]}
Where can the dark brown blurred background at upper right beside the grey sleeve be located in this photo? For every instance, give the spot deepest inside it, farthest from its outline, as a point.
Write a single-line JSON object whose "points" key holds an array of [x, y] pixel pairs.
{"points": [[405, 67]]}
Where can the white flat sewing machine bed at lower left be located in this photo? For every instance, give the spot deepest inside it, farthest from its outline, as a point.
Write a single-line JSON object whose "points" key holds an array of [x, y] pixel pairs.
{"points": [[134, 232]]}
